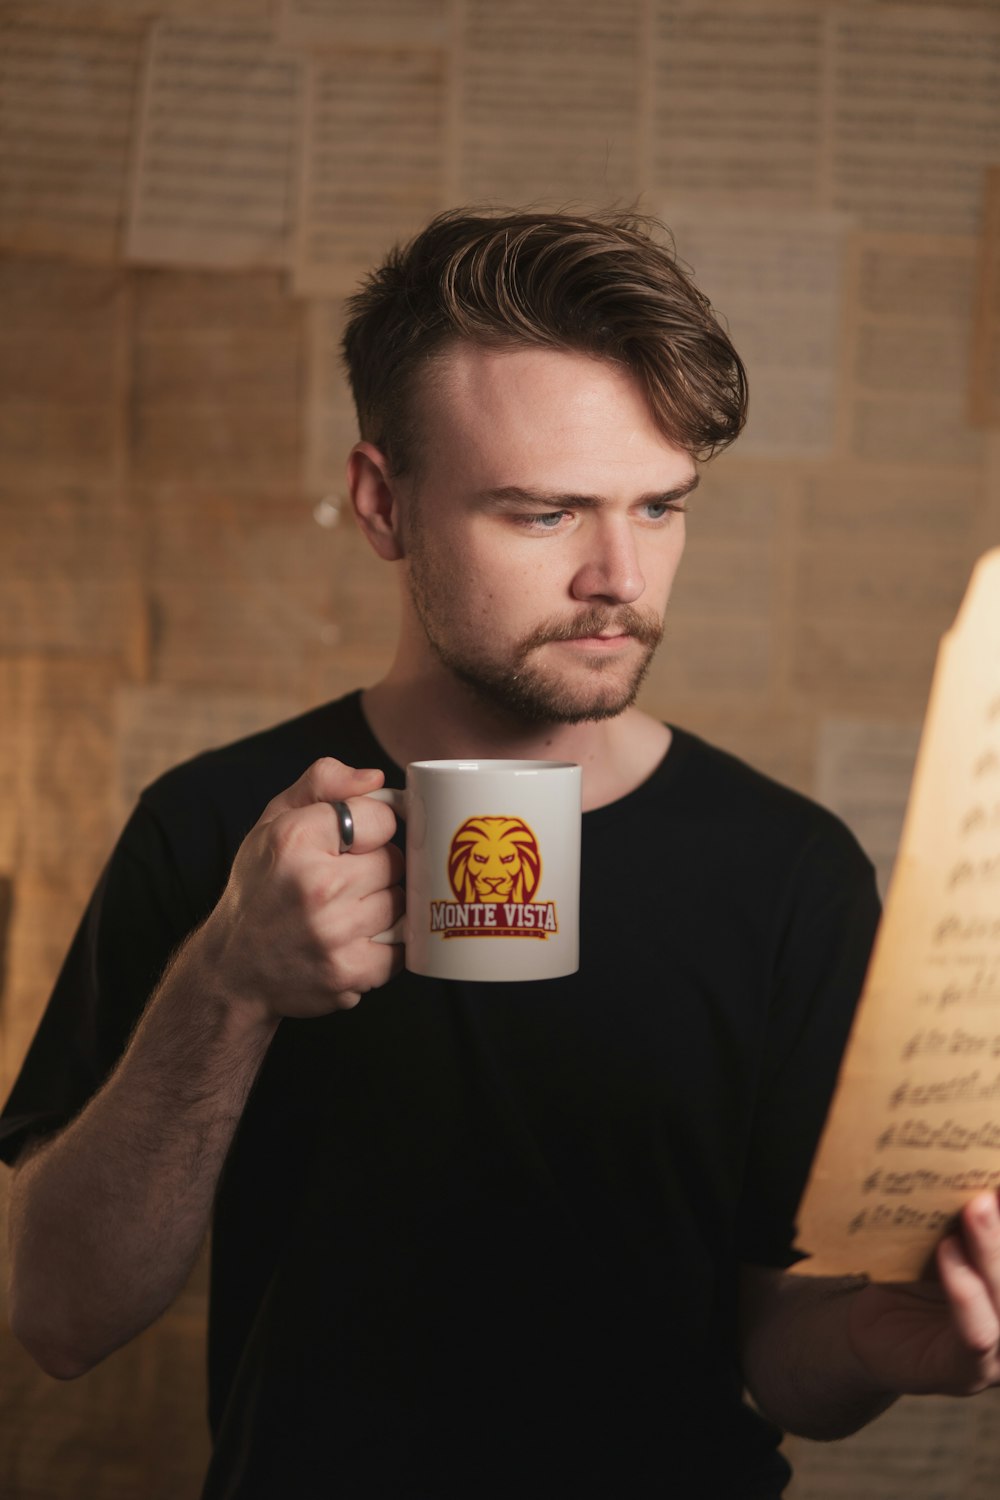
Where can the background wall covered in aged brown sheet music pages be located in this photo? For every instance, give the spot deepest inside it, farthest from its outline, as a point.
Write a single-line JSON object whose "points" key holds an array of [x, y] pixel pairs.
{"points": [[188, 193]]}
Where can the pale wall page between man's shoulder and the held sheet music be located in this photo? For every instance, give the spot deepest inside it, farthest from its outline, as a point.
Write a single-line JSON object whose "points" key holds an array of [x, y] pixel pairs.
{"points": [[864, 773]]}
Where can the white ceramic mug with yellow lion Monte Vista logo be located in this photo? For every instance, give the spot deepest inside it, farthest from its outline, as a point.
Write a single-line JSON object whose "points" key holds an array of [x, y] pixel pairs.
{"points": [[493, 869]]}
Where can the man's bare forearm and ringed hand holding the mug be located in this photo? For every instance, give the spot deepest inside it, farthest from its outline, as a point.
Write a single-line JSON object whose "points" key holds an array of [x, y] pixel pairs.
{"points": [[109, 1216]]}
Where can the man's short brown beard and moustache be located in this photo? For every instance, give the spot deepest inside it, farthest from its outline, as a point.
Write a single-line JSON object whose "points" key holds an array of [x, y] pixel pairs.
{"points": [[522, 686]]}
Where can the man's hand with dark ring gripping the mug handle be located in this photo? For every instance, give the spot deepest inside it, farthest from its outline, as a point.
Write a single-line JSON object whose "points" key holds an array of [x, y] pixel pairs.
{"points": [[293, 932]]}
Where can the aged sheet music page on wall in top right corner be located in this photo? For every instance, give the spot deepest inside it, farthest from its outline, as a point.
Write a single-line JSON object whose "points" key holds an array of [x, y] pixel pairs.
{"points": [[915, 116]]}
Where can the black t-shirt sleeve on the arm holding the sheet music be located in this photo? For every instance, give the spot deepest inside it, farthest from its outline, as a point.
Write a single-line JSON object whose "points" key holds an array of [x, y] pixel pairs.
{"points": [[822, 956]]}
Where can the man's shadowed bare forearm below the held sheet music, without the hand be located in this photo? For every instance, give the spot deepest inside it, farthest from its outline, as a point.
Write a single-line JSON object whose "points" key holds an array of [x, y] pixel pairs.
{"points": [[800, 1364]]}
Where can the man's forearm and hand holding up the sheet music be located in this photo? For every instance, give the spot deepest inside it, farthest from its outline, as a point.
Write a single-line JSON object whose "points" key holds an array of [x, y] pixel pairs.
{"points": [[824, 1358]]}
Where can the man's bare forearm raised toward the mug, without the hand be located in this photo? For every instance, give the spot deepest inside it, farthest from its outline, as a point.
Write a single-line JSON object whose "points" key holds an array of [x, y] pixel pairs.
{"points": [[107, 1219]]}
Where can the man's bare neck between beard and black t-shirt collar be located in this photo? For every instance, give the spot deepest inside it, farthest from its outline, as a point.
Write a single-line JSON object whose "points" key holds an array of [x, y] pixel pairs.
{"points": [[424, 715]]}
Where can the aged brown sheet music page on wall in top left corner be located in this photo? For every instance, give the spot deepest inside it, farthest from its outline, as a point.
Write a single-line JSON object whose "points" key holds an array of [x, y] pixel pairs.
{"points": [[68, 92]]}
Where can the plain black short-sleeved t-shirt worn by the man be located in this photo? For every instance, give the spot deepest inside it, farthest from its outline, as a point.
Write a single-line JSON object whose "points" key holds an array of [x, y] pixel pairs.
{"points": [[481, 1240]]}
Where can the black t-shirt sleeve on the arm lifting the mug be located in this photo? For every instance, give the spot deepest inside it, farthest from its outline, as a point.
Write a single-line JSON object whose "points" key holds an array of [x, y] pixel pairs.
{"points": [[137, 917]]}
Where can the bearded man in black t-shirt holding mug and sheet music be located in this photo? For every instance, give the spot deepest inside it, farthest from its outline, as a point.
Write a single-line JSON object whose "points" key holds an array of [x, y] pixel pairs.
{"points": [[512, 1240]]}
